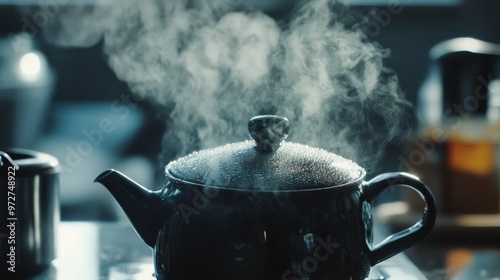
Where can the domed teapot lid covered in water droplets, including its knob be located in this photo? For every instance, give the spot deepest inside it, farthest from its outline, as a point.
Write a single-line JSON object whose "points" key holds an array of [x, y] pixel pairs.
{"points": [[268, 164]]}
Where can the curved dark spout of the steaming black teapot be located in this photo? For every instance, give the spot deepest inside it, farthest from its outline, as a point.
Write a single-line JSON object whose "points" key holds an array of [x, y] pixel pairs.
{"points": [[142, 206]]}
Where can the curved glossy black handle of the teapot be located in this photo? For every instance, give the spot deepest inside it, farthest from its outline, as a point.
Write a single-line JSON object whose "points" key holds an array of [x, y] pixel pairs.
{"points": [[404, 239]]}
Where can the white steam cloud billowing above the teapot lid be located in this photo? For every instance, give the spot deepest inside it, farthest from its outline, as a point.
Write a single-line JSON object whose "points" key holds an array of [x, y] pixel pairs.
{"points": [[217, 67]]}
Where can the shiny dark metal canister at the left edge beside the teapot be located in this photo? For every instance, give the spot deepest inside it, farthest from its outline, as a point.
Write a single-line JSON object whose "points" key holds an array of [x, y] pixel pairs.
{"points": [[29, 195]]}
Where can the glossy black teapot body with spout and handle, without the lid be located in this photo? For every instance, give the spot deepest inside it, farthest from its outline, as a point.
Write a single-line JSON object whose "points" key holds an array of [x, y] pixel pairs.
{"points": [[211, 233]]}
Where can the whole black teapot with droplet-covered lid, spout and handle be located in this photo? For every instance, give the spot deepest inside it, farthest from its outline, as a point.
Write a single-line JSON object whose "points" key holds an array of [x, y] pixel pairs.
{"points": [[265, 210]]}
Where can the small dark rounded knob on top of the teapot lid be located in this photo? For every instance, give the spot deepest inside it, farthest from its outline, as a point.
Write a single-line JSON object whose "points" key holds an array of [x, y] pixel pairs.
{"points": [[268, 131]]}
